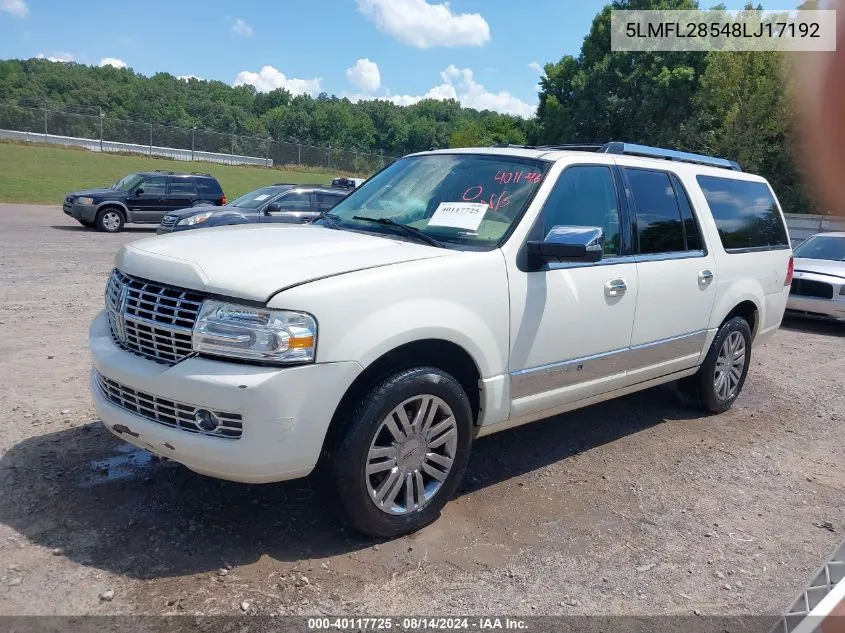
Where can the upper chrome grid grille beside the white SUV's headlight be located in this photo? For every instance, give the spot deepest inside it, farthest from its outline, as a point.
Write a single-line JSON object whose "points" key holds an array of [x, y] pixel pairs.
{"points": [[151, 319]]}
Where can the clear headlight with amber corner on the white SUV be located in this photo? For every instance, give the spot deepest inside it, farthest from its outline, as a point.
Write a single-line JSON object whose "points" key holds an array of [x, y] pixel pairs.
{"points": [[239, 331]]}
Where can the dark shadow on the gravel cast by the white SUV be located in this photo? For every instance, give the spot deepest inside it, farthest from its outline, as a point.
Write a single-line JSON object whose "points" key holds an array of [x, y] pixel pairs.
{"points": [[109, 506]]}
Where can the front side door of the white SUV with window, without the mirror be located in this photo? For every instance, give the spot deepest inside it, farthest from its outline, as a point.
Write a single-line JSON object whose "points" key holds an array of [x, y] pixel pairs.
{"points": [[571, 323]]}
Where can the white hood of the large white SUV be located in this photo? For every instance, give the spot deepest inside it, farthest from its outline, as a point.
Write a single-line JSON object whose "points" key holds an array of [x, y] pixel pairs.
{"points": [[255, 262]]}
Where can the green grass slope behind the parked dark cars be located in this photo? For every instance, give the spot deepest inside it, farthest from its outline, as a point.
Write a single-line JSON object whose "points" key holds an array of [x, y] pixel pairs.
{"points": [[44, 174]]}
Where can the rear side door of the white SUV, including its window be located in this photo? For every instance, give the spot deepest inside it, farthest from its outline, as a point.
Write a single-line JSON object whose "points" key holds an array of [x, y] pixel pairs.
{"points": [[677, 276]]}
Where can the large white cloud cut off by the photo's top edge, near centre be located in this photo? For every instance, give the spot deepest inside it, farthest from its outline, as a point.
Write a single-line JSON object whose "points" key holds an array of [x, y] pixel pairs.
{"points": [[420, 24]]}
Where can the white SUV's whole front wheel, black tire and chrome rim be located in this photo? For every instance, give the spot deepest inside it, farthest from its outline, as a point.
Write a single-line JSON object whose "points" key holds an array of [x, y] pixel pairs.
{"points": [[403, 452]]}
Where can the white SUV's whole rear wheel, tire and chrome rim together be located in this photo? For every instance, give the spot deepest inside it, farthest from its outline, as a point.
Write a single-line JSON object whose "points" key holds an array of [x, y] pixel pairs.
{"points": [[720, 378]]}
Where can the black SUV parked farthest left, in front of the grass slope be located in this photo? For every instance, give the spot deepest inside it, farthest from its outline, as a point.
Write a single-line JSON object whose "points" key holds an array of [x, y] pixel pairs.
{"points": [[142, 198]]}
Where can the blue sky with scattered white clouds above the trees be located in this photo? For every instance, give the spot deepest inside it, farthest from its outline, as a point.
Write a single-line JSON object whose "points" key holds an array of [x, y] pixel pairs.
{"points": [[483, 53]]}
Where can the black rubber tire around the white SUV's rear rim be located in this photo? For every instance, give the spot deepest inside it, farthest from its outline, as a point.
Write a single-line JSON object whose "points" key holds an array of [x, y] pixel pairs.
{"points": [[700, 389]]}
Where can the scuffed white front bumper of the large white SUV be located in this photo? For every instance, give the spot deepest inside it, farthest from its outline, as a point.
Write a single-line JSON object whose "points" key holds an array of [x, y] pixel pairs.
{"points": [[285, 410]]}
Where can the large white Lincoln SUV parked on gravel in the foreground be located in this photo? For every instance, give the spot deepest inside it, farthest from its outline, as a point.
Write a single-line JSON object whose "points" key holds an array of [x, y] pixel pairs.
{"points": [[455, 294]]}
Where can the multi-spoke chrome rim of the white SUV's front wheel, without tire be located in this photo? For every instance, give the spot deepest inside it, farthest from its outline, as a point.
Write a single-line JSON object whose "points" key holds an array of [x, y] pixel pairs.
{"points": [[411, 454]]}
